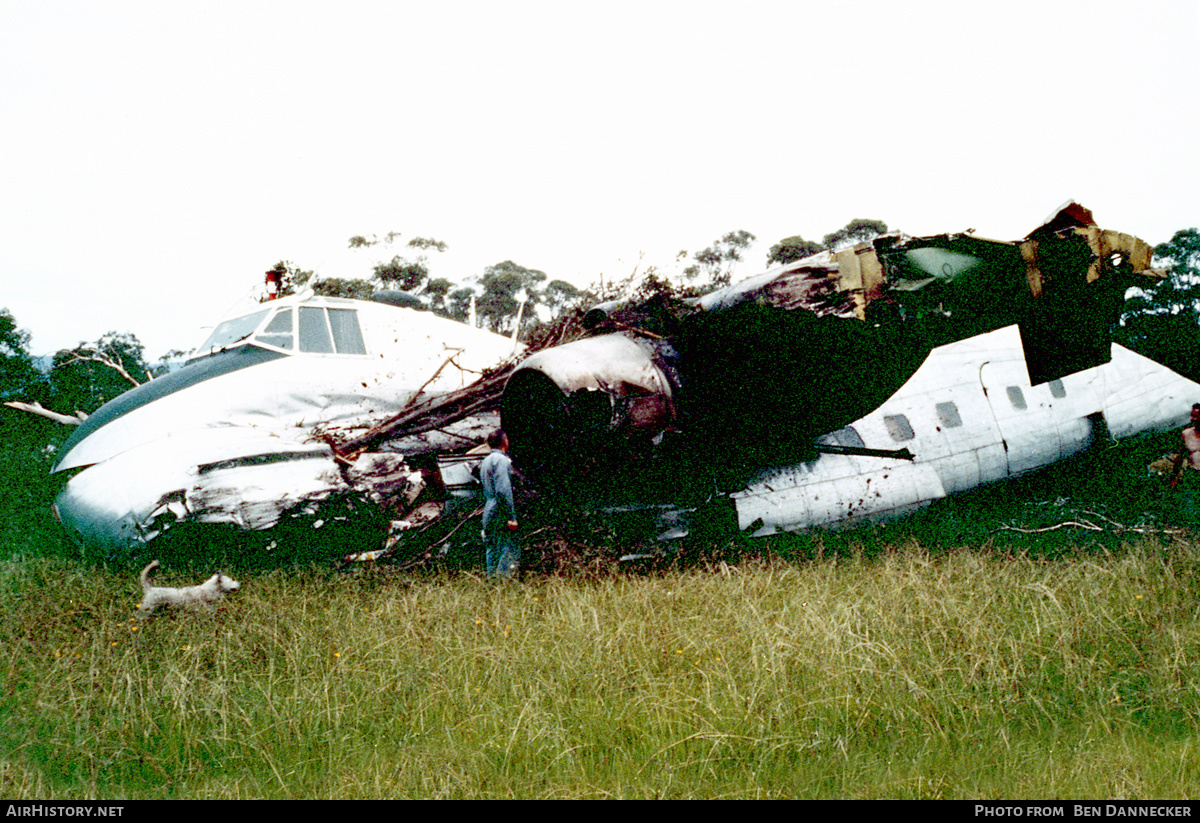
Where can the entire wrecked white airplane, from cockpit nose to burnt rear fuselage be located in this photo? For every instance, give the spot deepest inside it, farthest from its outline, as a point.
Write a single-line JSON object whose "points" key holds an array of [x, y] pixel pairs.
{"points": [[853, 386]]}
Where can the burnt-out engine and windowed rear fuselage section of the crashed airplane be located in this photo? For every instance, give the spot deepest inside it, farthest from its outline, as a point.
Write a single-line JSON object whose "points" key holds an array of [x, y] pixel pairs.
{"points": [[856, 385]]}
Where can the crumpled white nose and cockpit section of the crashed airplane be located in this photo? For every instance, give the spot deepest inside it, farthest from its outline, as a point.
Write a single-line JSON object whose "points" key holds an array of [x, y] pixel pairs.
{"points": [[261, 419]]}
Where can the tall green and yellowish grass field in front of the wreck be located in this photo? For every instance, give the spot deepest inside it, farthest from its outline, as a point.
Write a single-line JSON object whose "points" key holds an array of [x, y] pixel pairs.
{"points": [[940, 658]]}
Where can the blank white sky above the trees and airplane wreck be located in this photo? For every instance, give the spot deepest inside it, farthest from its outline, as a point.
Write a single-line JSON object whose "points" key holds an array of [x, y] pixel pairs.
{"points": [[158, 158]]}
